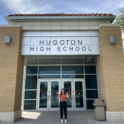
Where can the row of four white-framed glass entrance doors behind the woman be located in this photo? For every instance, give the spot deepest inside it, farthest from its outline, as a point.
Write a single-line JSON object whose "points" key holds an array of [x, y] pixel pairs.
{"points": [[47, 97]]}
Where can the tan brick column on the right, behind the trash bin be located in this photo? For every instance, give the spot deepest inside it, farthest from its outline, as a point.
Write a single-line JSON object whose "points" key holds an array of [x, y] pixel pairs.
{"points": [[110, 64]]}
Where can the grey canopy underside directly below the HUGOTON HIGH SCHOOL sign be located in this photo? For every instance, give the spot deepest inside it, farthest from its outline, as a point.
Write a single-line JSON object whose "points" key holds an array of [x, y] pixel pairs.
{"points": [[75, 59]]}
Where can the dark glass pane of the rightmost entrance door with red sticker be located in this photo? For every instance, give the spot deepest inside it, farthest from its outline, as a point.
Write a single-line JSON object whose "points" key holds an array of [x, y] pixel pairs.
{"points": [[79, 93]]}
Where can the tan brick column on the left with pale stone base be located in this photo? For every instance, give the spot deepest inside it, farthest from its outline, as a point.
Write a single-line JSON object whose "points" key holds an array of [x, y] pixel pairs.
{"points": [[11, 74]]}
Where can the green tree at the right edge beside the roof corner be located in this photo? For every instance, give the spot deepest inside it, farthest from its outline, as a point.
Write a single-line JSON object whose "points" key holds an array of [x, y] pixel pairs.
{"points": [[120, 18]]}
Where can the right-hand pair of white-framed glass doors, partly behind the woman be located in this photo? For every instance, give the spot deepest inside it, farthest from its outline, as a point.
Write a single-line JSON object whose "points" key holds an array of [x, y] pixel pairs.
{"points": [[75, 89]]}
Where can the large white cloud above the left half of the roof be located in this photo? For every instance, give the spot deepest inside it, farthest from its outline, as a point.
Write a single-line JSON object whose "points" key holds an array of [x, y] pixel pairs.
{"points": [[26, 6]]}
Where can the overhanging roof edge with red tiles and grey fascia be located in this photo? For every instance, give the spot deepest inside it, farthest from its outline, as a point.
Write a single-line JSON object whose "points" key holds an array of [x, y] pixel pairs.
{"points": [[60, 17]]}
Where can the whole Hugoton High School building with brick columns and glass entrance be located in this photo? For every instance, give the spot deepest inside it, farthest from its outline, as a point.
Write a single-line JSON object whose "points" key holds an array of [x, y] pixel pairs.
{"points": [[42, 53]]}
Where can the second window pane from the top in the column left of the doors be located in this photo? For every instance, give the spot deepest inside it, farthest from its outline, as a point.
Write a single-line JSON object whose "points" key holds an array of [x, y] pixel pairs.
{"points": [[31, 82]]}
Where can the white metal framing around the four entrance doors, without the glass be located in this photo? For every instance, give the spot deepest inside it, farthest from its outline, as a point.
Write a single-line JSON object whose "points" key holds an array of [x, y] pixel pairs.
{"points": [[61, 85]]}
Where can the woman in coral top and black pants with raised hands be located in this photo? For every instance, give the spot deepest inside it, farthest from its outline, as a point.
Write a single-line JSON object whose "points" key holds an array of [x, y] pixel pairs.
{"points": [[63, 104]]}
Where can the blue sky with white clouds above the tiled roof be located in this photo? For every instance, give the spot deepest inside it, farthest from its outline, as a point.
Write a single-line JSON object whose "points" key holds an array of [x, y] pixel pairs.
{"points": [[58, 6]]}
